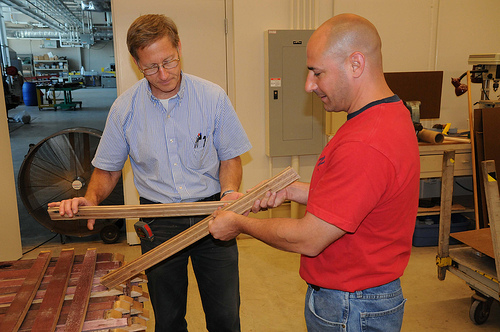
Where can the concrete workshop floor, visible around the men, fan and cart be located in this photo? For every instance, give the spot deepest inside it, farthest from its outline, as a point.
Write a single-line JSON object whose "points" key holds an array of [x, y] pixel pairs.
{"points": [[272, 293]]}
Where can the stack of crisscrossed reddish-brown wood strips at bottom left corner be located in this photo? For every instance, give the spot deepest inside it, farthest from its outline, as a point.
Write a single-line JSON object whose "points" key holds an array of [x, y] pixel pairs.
{"points": [[65, 294]]}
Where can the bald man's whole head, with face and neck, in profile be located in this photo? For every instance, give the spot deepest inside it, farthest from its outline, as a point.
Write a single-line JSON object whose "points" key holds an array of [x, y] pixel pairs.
{"points": [[344, 59]]}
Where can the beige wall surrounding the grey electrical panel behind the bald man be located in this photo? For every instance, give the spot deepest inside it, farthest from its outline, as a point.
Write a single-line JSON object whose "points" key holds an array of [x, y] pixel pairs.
{"points": [[417, 36]]}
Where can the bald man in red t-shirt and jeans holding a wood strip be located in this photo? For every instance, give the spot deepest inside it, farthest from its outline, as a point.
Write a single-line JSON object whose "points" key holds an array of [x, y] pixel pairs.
{"points": [[355, 238]]}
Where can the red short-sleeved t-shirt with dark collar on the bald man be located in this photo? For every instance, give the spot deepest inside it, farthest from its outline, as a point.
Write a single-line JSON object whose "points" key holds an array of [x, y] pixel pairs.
{"points": [[366, 182]]}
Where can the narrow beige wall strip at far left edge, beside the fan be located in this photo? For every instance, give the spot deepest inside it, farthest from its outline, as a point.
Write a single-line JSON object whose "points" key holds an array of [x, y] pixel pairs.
{"points": [[10, 236]]}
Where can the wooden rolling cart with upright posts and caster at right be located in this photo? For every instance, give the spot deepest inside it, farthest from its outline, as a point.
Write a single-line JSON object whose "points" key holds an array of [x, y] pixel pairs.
{"points": [[475, 262]]}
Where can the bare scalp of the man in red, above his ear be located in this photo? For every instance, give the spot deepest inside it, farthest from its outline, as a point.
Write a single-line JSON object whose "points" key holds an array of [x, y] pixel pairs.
{"points": [[345, 34]]}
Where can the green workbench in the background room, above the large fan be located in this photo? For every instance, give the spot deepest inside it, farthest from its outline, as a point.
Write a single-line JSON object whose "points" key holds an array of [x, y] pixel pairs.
{"points": [[52, 102]]}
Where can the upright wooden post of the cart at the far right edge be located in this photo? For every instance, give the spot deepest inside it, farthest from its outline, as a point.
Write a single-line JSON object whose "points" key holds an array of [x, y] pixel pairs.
{"points": [[493, 205]]}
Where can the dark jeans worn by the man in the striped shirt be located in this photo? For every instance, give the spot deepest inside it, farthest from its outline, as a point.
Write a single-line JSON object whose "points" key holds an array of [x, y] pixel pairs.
{"points": [[215, 264]]}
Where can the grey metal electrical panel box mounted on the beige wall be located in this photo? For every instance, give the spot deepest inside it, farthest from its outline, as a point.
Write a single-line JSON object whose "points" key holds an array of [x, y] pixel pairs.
{"points": [[294, 118]]}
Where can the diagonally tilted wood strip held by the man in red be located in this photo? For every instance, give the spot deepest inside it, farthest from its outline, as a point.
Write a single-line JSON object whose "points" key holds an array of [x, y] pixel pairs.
{"points": [[196, 232]]}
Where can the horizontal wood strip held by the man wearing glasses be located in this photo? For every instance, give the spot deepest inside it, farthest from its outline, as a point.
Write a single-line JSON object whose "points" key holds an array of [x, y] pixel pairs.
{"points": [[140, 211]]}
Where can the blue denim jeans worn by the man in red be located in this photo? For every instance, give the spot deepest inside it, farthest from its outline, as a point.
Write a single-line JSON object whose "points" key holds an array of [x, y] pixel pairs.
{"points": [[374, 309]]}
